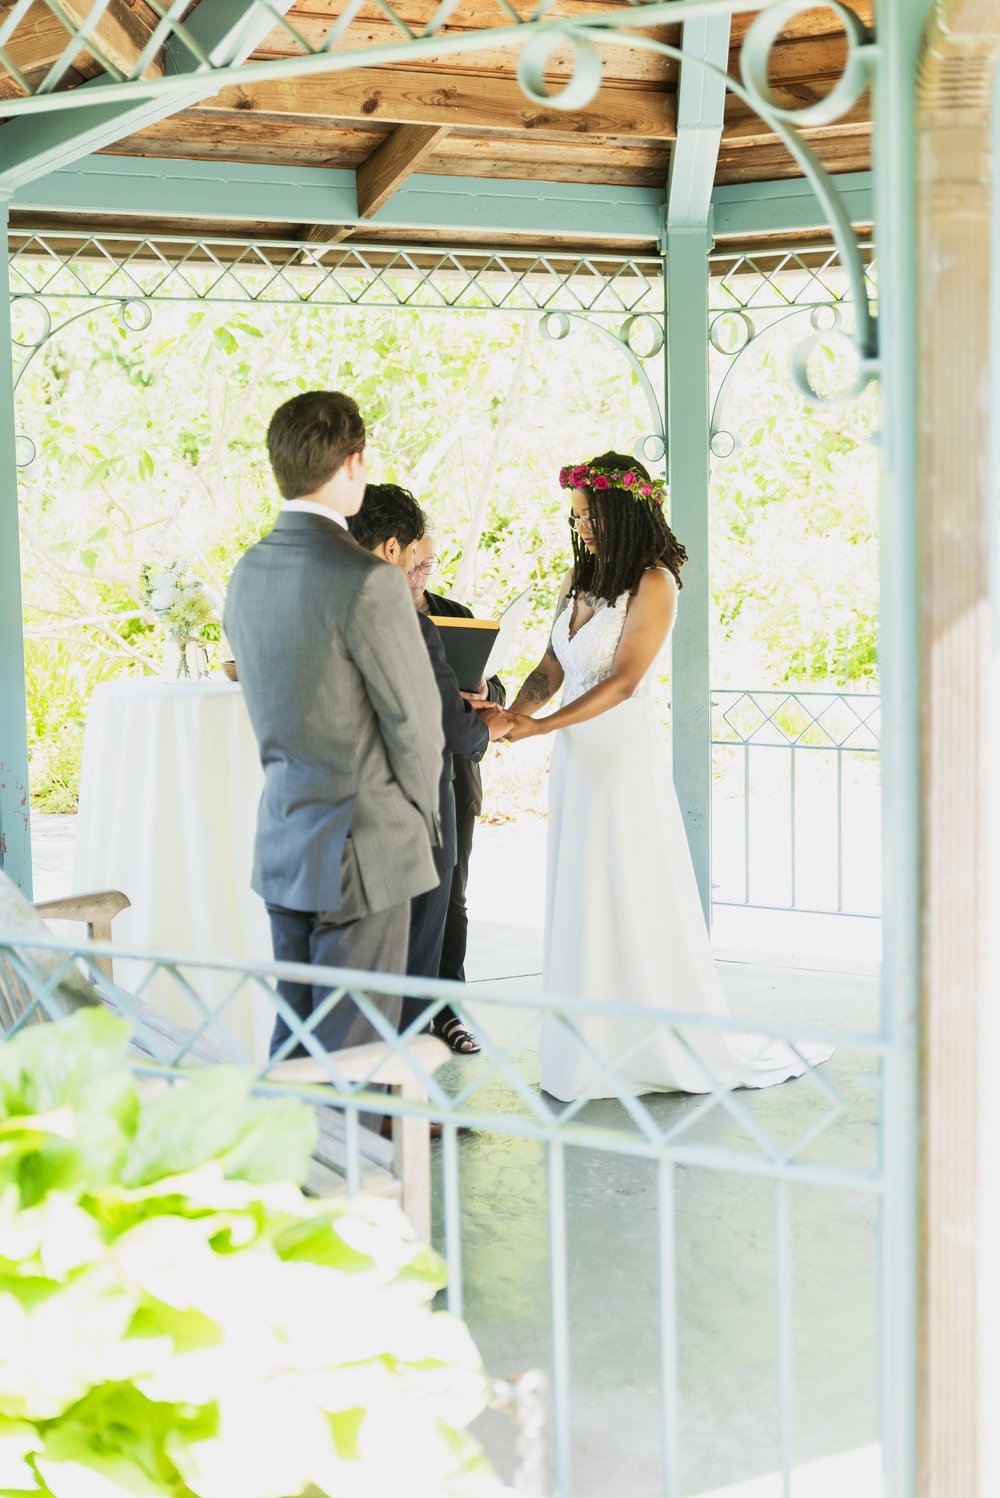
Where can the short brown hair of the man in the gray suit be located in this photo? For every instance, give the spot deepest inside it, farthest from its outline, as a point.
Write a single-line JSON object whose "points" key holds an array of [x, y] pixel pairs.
{"points": [[311, 437]]}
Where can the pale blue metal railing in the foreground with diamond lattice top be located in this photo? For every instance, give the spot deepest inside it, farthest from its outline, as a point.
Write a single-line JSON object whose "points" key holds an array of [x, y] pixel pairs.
{"points": [[694, 1280]]}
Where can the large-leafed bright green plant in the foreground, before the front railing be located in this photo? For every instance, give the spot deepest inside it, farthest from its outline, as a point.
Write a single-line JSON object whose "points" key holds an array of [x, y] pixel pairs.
{"points": [[177, 1319]]}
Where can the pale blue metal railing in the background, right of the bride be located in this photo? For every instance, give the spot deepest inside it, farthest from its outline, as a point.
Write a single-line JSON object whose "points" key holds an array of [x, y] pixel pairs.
{"points": [[797, 801]]}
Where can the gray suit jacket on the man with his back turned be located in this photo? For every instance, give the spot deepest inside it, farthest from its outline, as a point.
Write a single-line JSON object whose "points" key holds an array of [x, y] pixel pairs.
{"points": [[345, 708]]}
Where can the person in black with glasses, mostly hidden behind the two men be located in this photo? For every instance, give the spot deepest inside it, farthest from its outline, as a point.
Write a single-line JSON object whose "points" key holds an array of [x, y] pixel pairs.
{"points": [[468, 787]]}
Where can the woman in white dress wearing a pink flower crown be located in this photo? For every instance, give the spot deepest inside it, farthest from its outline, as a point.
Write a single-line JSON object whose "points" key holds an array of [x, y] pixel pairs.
{"points": [[624, 918]]}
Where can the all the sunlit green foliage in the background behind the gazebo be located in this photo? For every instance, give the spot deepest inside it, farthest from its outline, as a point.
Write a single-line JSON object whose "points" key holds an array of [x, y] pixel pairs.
{"points": [[152, 447]]}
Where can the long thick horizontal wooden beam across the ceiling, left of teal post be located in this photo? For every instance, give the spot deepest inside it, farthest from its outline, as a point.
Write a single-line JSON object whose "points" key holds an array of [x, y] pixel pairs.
{"points": [[483, 103]]}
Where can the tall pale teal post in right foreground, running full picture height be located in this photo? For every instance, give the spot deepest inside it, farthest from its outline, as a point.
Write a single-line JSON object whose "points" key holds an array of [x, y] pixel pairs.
{"points": [[900, 28]]}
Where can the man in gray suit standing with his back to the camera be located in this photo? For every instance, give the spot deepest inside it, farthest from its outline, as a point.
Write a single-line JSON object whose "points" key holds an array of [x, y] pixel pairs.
{"points": [[342, 700]]}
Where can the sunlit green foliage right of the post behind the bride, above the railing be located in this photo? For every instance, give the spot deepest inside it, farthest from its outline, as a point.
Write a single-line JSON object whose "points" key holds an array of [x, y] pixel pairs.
{"points": [[794, 533]]}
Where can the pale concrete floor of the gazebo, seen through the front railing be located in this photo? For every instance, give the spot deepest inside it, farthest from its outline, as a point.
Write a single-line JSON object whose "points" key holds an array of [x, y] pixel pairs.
{"points": [[728, 1442]]}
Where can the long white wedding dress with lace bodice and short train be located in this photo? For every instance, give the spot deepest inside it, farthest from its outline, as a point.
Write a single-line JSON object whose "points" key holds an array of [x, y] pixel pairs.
{"points": [[624, 916]]}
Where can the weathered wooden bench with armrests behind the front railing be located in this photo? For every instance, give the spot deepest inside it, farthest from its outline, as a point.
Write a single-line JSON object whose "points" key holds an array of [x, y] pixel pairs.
{"points": [[399, 1168]]}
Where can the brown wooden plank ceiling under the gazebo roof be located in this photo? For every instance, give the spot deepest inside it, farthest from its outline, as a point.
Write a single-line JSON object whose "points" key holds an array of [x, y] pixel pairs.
{"points": [[460, 116]]}
